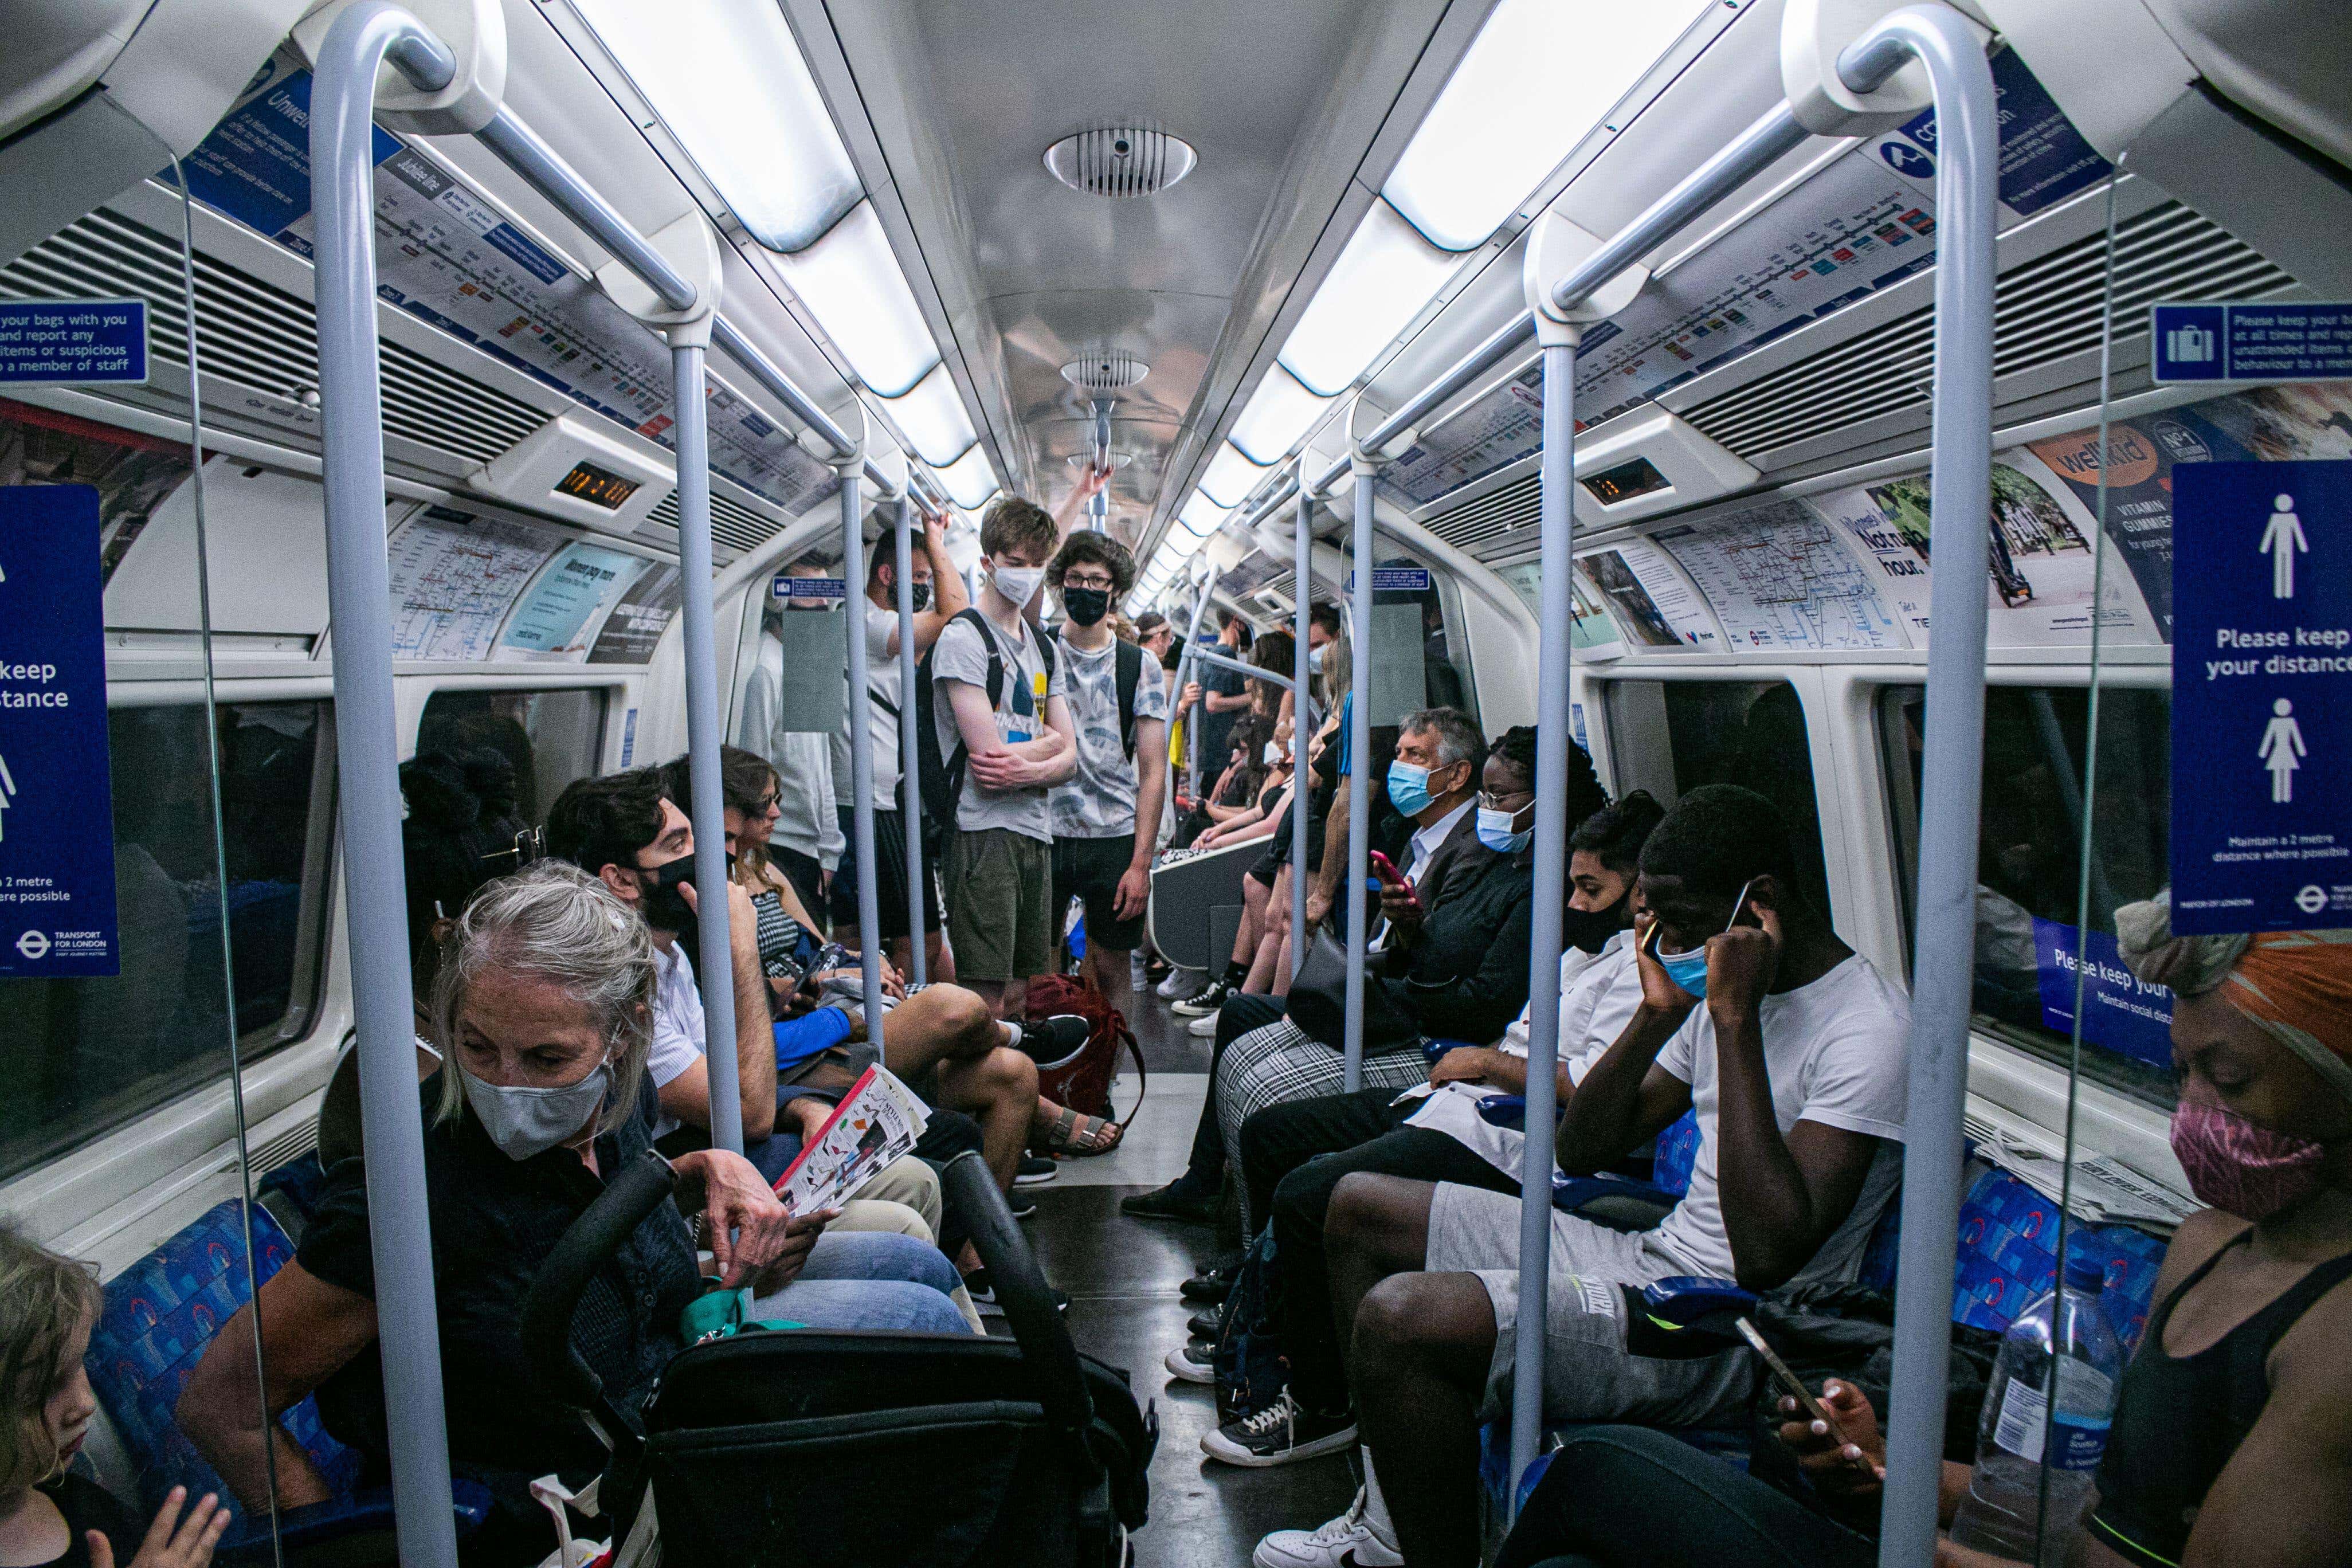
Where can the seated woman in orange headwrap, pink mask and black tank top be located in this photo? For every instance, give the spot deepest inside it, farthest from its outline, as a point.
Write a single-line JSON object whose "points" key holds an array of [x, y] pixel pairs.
{"points": [[2233, 1433]]}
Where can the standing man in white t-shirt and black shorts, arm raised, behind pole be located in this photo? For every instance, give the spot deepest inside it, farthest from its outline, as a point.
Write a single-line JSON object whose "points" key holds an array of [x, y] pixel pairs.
{"points": [[940, 598]]}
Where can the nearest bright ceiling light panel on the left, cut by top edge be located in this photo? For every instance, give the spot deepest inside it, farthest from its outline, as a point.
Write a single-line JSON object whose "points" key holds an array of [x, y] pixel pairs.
{"points": [[730, 83]]}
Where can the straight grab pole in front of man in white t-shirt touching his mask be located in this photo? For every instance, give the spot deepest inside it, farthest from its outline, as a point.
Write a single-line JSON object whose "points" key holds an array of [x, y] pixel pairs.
{"points": [[1551, 892]]}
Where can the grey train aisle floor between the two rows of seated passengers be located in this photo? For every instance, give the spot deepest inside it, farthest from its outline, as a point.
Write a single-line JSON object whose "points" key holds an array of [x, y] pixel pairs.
{"points": [[1125, 1311]]}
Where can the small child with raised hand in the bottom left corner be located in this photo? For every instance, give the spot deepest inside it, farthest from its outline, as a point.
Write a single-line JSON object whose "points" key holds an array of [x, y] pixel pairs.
{"points": [[51, 1515]]}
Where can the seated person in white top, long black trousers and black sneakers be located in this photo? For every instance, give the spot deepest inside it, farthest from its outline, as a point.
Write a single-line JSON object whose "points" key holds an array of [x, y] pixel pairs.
{"points": [[1297, 1153]]}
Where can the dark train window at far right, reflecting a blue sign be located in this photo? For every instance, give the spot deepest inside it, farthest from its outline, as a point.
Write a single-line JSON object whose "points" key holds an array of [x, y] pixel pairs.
{"points": [[2031, 869]]}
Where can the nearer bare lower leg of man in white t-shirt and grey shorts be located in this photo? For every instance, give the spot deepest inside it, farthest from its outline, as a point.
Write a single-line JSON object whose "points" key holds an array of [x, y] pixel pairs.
{"points": [[1422, 1353]]}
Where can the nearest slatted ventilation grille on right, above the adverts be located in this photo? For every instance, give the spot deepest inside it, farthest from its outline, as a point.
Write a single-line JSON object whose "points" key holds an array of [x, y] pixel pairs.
{"points": [[2045, 311]]}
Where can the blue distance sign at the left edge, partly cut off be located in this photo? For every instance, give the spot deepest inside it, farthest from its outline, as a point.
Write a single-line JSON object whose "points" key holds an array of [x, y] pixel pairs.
{"points": [[58, 836]]}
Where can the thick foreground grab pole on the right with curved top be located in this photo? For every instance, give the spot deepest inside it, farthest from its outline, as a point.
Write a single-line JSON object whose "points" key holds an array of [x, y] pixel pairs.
{"points": [[1951, 772]]}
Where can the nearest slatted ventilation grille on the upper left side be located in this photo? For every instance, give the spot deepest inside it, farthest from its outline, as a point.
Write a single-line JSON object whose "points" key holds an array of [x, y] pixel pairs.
{"points": [[260, 335]]}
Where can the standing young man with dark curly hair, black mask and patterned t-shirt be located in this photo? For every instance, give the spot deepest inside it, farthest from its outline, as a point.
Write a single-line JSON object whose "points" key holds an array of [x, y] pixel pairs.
{"points": [[1107, 817]]}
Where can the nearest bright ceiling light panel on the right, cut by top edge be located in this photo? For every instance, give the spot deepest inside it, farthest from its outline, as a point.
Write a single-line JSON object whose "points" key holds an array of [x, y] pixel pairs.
{"points": [[1535, 83]]}
